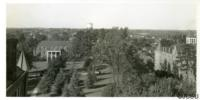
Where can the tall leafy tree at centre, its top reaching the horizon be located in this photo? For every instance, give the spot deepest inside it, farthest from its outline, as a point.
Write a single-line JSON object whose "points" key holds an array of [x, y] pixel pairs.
{"points": [[111, 52]]}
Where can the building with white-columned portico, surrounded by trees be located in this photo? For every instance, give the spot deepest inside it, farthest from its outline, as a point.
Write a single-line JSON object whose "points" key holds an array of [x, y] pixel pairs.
{"points": [[51, 49]]}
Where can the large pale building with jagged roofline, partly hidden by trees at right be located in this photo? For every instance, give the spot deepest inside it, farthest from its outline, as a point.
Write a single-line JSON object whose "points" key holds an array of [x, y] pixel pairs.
{"points": [[170, 58]]}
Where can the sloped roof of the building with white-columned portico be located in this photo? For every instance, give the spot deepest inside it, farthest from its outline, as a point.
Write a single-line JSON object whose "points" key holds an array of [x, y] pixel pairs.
{"points": [[52, 43]]}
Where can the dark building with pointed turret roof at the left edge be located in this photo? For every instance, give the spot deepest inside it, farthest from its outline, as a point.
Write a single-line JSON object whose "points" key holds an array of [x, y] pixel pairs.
{"points": [[16, 74]]}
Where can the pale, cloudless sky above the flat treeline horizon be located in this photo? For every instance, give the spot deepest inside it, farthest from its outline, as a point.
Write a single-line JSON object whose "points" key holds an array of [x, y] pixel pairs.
{"points": [[134, 15]]}
